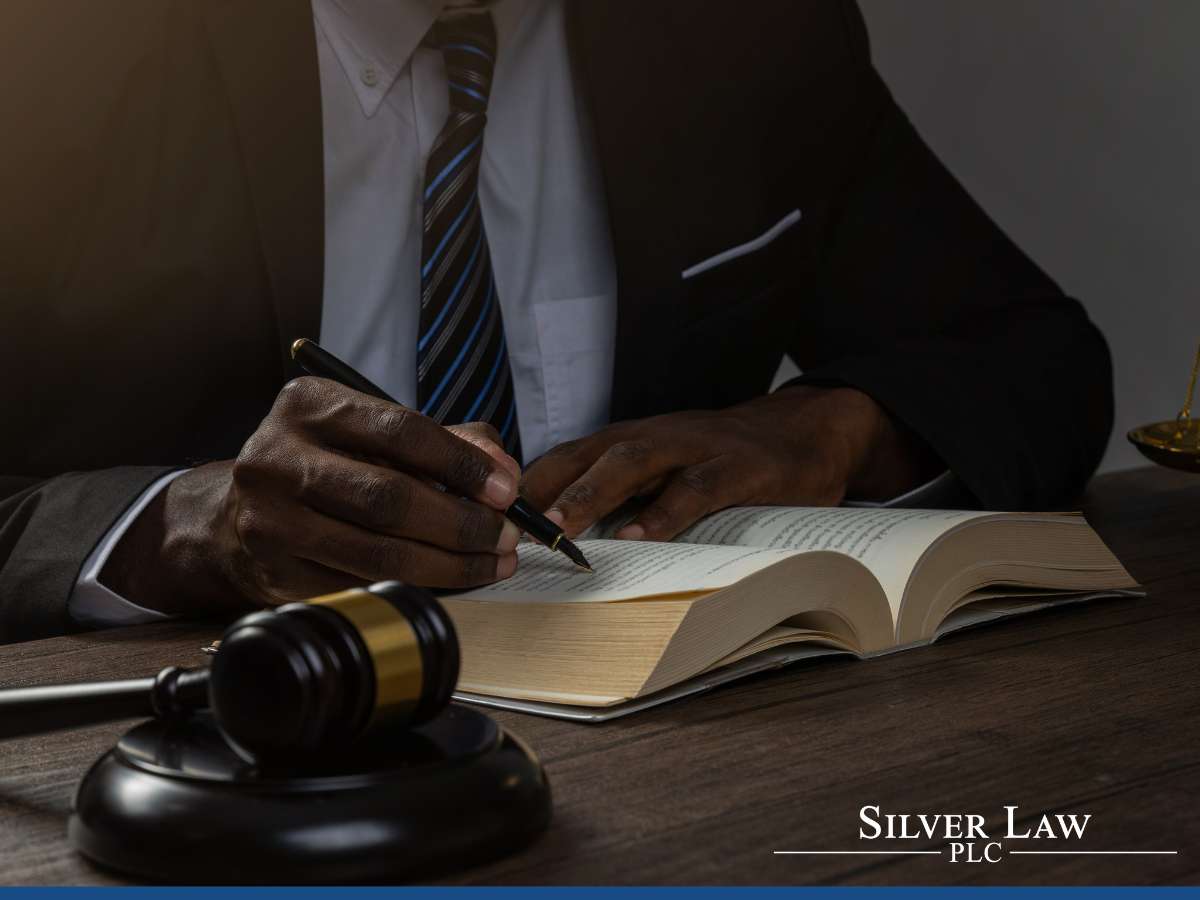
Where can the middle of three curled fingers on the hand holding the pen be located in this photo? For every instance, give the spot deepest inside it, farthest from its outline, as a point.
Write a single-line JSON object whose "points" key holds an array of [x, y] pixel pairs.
{"points": [[401, 506]]}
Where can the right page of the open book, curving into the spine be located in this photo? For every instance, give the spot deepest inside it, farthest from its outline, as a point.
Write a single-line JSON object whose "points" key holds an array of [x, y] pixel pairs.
{"points": [[889, 542]]}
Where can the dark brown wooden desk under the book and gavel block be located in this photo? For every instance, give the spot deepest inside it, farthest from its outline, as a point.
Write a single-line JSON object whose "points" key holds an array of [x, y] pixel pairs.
{"points": [[1087, 710]]}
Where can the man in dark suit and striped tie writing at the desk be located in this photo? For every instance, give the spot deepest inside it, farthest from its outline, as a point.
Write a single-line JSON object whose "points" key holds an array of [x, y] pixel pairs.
{"points": [[191, 185]]}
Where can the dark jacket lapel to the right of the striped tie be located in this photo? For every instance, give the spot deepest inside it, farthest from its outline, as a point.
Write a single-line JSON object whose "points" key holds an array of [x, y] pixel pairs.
{"points": [[633, 91]]}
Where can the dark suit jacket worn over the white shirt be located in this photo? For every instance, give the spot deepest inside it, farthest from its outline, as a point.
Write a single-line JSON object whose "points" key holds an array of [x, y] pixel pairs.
{"points": [[161, 244]]}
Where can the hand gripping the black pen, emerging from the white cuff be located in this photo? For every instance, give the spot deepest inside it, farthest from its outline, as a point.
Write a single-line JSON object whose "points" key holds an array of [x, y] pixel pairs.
{"points": [[335, 489]]}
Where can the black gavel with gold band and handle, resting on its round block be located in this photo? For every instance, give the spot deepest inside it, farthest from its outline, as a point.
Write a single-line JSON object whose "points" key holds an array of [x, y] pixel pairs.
{"points": [[289, 683]]}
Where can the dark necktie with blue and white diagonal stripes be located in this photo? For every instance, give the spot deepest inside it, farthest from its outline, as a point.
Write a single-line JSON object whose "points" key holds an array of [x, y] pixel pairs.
{"points": [[463, 362]]}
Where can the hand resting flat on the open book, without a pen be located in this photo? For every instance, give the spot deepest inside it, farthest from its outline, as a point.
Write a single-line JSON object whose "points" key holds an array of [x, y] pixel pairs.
{"points": [[801, 446]]}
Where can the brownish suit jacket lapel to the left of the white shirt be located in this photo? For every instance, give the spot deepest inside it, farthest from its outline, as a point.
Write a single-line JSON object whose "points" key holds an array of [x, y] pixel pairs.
{"points": [[268, 56]]}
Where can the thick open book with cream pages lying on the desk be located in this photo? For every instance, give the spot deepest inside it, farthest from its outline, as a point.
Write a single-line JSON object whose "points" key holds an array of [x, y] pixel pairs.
{"points": [[757, 587]]}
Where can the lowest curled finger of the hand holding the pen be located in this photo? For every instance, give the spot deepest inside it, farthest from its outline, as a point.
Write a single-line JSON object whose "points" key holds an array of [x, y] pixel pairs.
{"points": [[379, 557]]}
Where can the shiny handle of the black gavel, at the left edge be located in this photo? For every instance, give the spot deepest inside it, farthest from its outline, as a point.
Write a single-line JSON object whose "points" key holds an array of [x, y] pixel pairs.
{"points": [[37, 711]]}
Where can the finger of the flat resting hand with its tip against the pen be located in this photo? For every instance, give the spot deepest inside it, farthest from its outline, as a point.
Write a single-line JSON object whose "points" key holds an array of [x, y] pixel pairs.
{"points": [[621, 472]]}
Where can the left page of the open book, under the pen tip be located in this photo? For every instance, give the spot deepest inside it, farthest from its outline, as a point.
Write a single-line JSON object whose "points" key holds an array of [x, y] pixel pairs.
{"points": [[625, 571]]}
